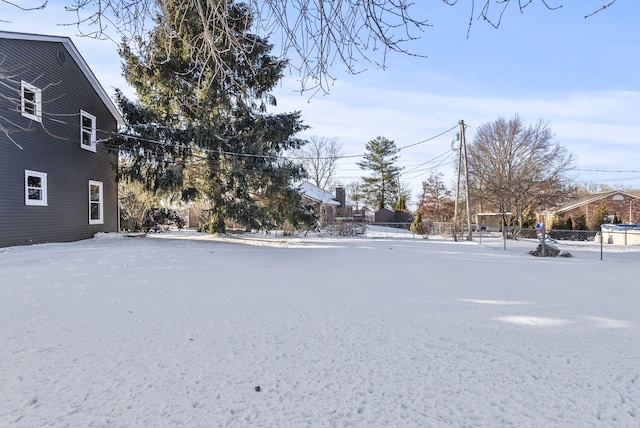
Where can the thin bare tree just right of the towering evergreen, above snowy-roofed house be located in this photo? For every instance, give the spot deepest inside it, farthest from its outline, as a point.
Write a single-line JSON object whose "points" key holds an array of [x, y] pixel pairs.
{"points": [[319, 158]]}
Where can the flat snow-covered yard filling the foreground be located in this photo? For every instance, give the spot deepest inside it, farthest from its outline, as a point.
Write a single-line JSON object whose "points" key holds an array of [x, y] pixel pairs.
{"points": [[335, 332]]}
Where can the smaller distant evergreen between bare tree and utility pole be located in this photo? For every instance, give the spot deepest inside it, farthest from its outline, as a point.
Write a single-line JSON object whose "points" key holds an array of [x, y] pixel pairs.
{"points": [[381, 188]]}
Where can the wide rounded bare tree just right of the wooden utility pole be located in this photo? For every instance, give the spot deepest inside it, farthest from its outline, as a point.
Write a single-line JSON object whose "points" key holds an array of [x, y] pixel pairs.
{"points": [[514, 167]]}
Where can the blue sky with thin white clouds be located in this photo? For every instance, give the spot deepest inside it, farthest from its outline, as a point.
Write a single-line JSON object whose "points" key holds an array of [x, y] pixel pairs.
{"points": [[581, 76]]}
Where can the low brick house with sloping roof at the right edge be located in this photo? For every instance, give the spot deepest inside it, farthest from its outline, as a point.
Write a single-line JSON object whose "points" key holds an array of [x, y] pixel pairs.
{"points": [[624, 205]]}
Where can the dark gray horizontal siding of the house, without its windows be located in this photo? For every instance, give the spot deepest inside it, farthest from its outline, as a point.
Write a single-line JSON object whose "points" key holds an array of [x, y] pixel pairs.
{"points": [[52, 147]]}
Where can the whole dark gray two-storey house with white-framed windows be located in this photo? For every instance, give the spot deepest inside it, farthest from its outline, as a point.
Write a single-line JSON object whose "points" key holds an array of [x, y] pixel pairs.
{"points": [[57, 180]]}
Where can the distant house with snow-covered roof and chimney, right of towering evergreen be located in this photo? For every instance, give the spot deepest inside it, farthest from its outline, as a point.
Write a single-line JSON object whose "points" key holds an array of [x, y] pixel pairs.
{"points": [[332, 207]]}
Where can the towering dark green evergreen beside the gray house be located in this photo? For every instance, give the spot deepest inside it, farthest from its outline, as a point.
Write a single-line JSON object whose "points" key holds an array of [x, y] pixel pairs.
{"points": [[207, 137]]}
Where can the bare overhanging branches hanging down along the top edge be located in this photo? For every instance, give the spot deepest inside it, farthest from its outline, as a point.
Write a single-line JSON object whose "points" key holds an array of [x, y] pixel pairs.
{"points": [[314, 34]]}
